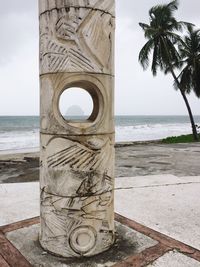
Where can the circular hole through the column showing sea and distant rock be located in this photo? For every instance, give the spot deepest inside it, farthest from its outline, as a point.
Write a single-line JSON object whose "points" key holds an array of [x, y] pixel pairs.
{"points": [[76, 105]]}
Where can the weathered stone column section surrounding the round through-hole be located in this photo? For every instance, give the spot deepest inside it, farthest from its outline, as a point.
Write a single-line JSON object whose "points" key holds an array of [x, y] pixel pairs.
{"points": [[99, 86]]}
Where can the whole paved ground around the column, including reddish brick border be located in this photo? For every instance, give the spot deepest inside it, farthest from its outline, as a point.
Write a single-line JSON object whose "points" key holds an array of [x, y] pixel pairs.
{"points": [[164, 213]]}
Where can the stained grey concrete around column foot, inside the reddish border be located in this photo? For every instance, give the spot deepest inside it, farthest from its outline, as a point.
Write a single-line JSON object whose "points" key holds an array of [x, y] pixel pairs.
{"points": [[128, 242]]}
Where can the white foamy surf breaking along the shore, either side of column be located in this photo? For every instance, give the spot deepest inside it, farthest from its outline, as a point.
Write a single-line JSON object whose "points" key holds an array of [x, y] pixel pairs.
{"points": [[30, 139]]}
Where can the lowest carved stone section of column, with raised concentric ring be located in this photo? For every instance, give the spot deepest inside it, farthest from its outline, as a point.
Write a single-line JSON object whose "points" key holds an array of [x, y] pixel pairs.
{"points": [[63, 217]]}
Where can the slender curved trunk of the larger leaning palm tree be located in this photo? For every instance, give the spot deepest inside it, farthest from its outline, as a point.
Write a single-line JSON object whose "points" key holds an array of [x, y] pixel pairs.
{"points": [[194, 129]]}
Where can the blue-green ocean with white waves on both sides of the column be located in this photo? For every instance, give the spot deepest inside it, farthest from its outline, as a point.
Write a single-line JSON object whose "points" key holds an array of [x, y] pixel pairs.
{"points": [[22, 132]]}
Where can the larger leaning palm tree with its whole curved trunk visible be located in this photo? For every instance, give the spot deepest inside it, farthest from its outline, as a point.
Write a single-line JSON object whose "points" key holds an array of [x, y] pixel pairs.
{"points": [[161, 43]]}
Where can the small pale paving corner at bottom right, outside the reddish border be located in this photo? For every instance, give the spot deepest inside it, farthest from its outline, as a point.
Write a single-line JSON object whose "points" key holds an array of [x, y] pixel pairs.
{"points": [[175, 259]]}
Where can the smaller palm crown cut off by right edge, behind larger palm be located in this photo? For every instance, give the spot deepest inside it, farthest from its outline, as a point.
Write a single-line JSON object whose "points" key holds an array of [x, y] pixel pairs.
{"points": [[190, 53]]}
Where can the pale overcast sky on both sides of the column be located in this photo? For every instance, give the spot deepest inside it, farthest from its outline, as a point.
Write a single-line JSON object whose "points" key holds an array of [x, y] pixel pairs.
{"points": [[136, 92]]}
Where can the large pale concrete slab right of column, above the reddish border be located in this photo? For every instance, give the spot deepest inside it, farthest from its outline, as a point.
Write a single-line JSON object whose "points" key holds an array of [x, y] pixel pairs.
{"points": [[167, 204]]}
